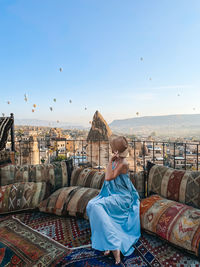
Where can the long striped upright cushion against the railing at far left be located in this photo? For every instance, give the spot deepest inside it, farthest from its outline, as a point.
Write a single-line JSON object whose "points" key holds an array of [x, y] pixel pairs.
{"points": [[54, 174]]}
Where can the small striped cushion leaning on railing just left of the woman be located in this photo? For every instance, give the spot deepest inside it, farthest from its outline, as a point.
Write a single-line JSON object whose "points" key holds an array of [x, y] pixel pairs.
{"points": [[87, 178]]}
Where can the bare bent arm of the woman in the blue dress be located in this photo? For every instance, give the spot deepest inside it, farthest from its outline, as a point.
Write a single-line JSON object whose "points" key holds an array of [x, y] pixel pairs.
{"points": [[111, 174]]}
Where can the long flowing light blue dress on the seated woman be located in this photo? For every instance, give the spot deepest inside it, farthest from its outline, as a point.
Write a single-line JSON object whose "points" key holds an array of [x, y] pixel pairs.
{"points": [[114, 216]]}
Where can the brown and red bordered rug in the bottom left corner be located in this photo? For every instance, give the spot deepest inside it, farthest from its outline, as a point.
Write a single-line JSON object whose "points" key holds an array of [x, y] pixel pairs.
{"points": [[22, 246]]}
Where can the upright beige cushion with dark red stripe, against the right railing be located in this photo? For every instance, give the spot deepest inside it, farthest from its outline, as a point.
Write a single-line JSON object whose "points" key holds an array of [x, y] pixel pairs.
{"points": [[179, 185]]}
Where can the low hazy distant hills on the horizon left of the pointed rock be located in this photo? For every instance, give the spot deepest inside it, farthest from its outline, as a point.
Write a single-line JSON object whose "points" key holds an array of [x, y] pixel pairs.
{"points": [[35, 122]]}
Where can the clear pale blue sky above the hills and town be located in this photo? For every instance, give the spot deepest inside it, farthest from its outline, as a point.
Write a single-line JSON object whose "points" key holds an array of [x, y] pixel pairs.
{"points": [[120, 57]]}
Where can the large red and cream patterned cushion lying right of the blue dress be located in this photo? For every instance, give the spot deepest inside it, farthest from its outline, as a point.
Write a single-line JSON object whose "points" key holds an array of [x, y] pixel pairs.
{"points": [[172, 221]]}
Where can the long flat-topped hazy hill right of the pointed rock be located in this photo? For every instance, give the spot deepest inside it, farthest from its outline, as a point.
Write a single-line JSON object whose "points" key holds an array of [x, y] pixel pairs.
{"points": [[179, 125]]}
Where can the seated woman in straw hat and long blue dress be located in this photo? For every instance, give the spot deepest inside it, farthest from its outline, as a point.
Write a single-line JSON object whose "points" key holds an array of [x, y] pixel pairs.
{"points": [[114, 213]]}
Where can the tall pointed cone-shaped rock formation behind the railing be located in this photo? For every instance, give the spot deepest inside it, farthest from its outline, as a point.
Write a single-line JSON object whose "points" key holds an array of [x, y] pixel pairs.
{"points": [[98, 151]]}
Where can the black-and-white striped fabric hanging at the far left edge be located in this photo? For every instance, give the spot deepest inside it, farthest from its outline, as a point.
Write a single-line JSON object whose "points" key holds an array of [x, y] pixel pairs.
{"points": [[5, 125]]}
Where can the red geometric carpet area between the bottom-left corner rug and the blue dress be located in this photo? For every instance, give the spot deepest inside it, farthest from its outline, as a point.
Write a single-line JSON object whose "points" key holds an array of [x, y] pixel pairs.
{"points": [[69, 231]]}
